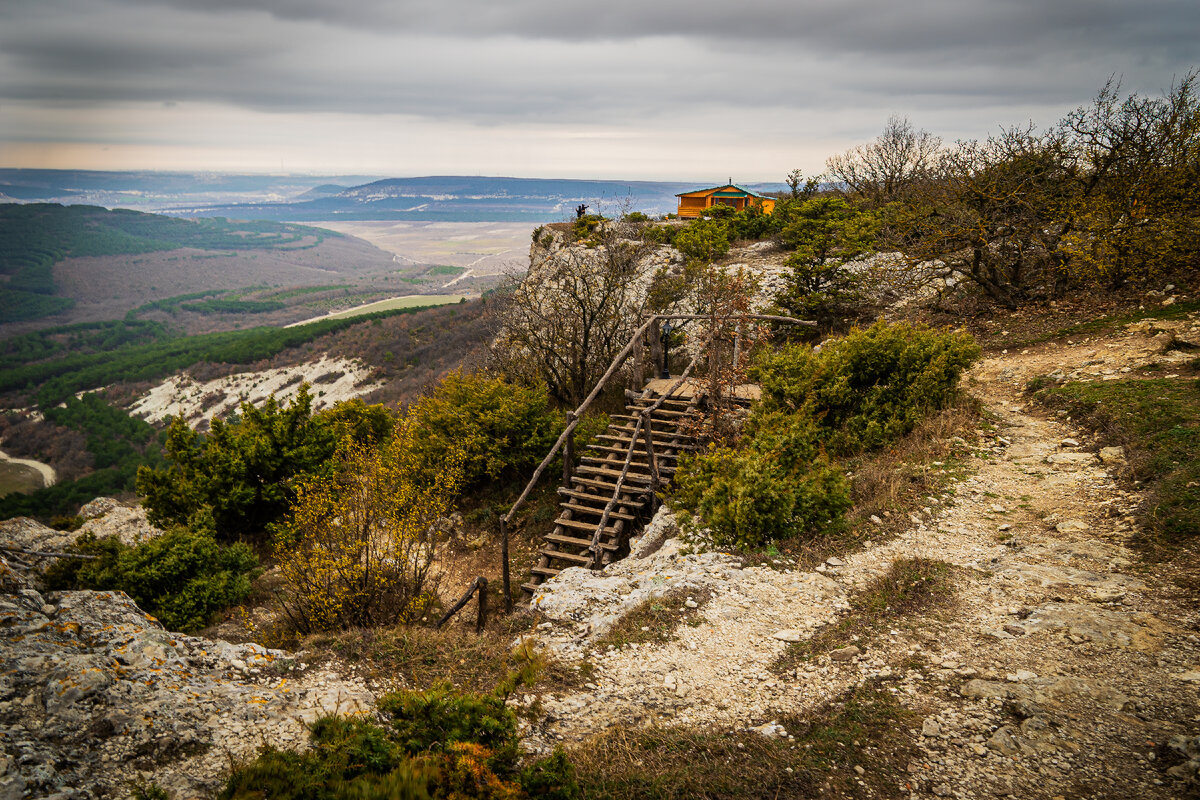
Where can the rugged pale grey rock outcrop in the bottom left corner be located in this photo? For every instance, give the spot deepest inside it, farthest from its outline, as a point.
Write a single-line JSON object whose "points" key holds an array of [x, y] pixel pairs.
{"points": [[97, 696]]}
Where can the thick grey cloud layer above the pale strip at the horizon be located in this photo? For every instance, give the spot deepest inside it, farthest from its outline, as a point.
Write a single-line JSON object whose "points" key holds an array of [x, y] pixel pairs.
{"points": [[622, 62]]}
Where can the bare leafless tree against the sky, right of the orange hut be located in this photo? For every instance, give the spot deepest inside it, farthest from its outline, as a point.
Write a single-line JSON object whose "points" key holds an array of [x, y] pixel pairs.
{"points": [[884, 170]]}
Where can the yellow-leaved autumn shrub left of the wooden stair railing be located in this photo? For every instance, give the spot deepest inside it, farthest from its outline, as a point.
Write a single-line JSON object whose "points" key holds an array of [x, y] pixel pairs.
{"points": [[358, 548]]}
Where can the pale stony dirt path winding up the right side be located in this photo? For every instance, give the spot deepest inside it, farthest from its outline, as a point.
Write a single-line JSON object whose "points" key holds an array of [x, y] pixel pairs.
{"points": [[1066, 670]]}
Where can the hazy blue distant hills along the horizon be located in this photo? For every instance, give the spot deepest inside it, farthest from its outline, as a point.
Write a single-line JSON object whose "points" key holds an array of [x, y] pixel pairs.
{"points": [[298, 199]]}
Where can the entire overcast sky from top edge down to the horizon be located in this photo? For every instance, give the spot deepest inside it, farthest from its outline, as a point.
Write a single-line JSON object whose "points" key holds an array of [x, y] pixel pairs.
{"points": [[651, 89]]}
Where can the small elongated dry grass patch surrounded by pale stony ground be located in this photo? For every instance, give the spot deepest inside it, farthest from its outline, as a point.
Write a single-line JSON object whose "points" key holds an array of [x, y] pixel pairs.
{"points": [[911, 587]]}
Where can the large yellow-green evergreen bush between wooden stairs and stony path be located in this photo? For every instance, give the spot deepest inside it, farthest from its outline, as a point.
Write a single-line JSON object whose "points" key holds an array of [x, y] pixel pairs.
{"points": [[856, 394]]}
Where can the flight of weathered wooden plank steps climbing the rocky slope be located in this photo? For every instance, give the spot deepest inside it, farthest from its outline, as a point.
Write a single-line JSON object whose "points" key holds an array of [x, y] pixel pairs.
{"points": [[613, 492]]}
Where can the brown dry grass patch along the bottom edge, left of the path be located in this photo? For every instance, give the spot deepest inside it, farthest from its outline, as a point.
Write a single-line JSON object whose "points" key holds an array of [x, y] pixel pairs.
{"points": [[866, 727]]}
